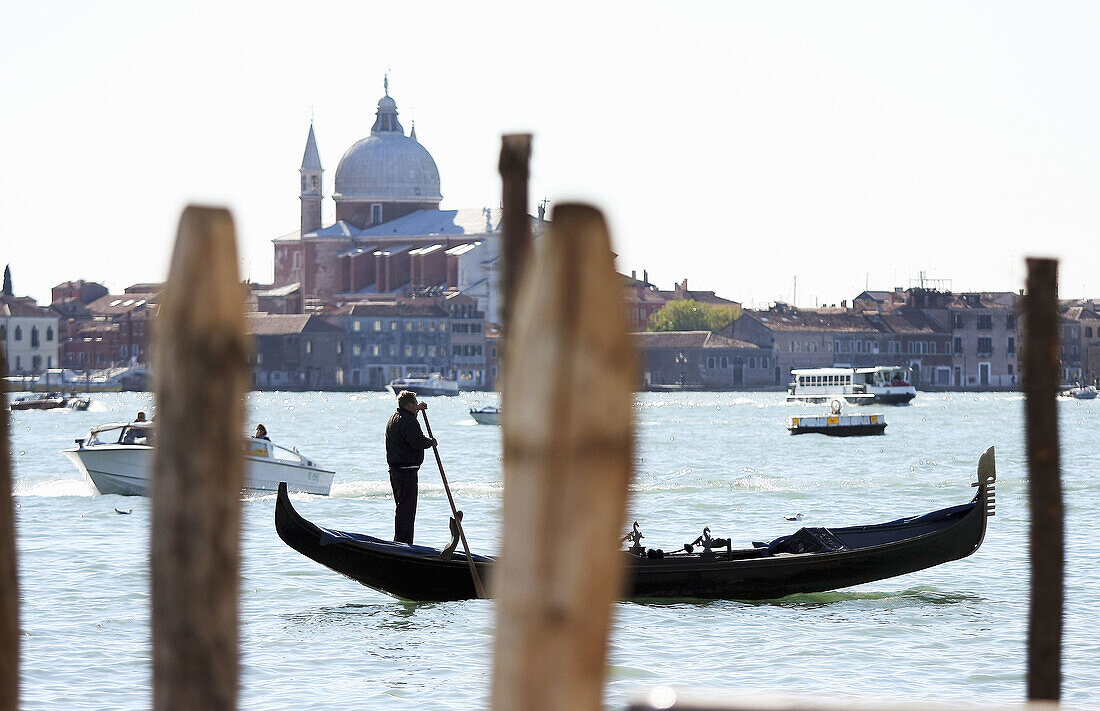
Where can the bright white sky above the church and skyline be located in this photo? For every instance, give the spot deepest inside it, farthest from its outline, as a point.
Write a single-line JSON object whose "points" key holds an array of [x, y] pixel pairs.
{"points": [[768, 151]]}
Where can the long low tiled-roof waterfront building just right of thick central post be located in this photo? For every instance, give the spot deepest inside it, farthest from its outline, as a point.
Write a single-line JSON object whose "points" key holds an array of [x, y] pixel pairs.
{"points": [[701, 360]]}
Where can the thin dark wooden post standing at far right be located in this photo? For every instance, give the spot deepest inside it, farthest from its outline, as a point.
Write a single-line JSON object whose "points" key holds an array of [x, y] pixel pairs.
{"points": [[1044, 465]]}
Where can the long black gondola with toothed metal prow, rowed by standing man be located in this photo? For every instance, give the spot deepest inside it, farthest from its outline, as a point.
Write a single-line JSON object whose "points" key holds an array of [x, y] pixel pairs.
{"points": [[812, 560]]}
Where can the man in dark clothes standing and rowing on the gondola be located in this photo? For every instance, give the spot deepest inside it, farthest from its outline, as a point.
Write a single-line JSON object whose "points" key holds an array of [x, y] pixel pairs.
{"points": [[405, 445]]}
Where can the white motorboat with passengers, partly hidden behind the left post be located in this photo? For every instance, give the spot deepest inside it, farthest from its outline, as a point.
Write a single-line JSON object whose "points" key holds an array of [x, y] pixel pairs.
{"points": [[118, 460]]}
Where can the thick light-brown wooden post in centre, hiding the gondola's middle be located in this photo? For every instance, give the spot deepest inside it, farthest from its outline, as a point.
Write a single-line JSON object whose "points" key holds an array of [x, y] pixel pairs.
{"points": [[568, 440]]}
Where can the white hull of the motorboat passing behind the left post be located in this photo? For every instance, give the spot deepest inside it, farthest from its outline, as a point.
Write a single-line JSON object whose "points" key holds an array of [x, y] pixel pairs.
{"points": [[125, 469]]}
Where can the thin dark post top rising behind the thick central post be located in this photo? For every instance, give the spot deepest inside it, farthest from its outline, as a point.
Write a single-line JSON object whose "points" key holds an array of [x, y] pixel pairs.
{"points": [[516, 228]]}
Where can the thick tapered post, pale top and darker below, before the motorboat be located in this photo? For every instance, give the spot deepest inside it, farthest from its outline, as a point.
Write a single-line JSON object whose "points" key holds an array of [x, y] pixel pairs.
{"points": [[199, 472]]}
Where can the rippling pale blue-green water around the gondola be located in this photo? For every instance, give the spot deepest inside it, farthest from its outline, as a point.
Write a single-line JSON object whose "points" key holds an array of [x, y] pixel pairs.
{"points": [[314, 639]]}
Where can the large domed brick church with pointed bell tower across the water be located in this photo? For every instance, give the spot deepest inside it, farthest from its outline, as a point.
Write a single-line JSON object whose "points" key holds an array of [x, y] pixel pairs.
{"points": [[391, 242]]}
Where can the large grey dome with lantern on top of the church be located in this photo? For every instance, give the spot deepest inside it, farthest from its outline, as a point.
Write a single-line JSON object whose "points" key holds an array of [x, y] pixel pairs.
{"points": [[388, 166]]}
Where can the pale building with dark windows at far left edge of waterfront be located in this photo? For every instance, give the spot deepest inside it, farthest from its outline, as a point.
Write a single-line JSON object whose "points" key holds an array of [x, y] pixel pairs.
{"points": [[29, 333]]}
